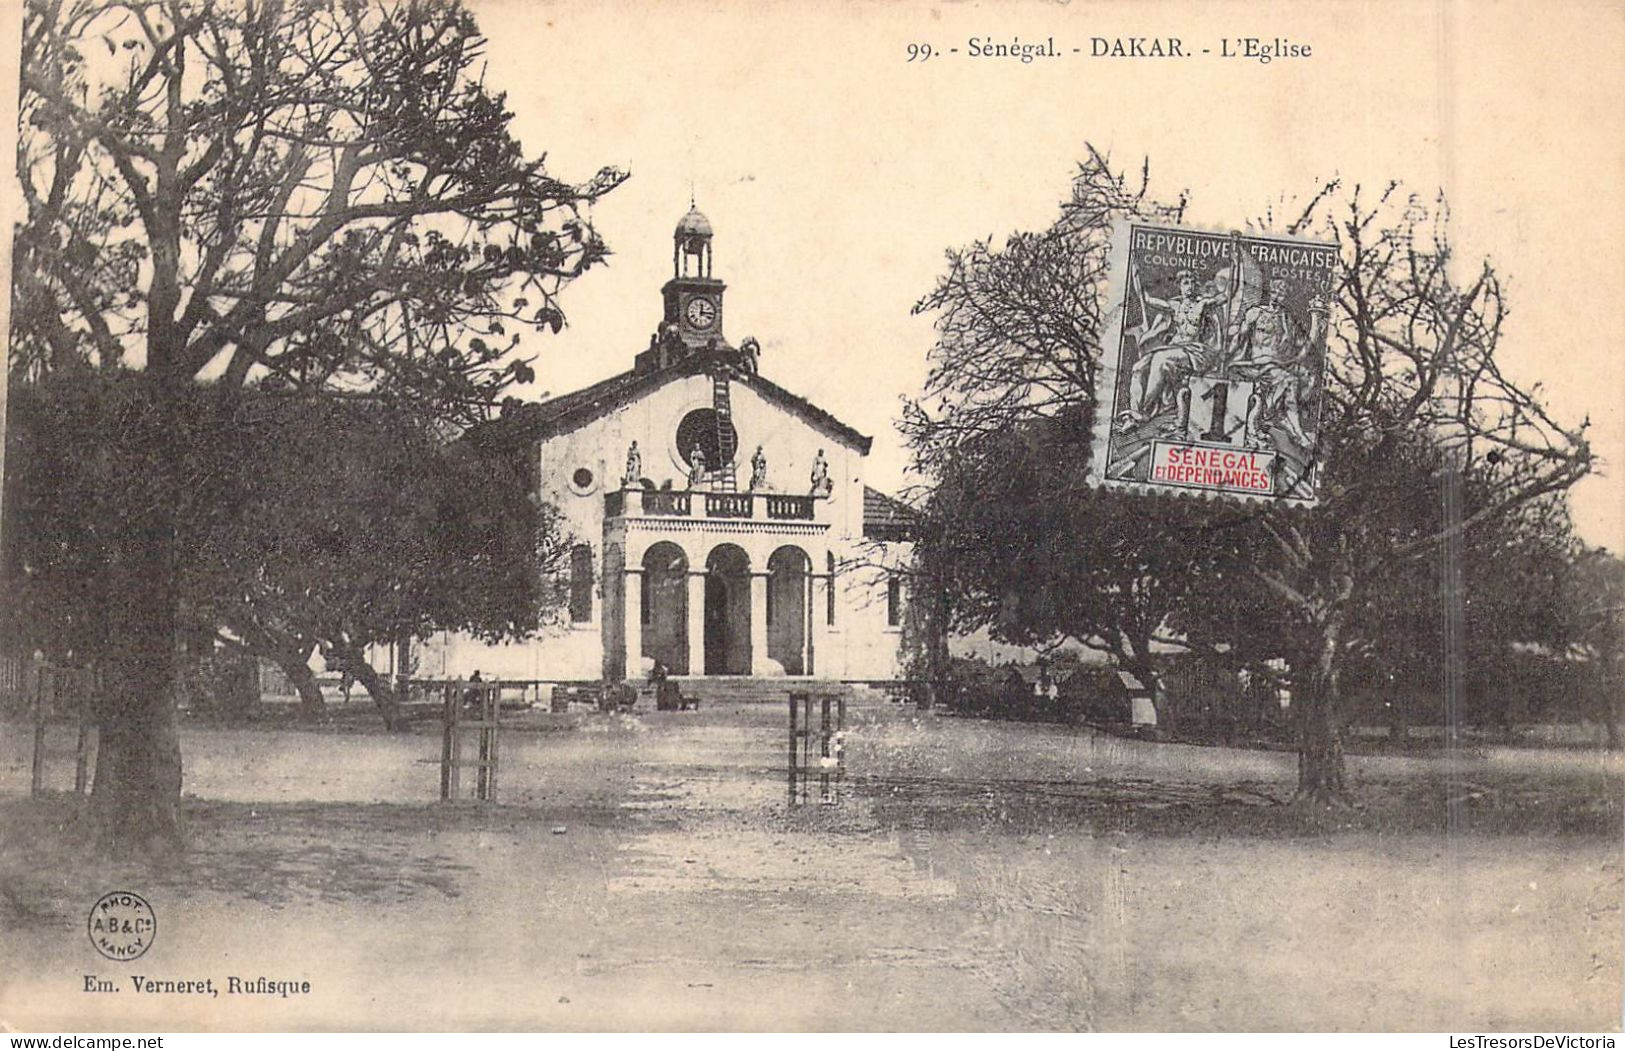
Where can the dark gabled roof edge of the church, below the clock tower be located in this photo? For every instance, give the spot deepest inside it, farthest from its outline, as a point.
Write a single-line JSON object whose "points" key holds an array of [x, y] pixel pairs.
{"points": [[583, 407]]}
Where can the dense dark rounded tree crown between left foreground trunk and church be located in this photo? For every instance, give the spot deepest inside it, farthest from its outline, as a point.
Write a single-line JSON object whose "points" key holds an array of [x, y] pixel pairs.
{"points": [[363, 527]]}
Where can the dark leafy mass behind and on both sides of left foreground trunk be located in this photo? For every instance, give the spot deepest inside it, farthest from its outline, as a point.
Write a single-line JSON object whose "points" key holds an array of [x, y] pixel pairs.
{"points": [[318, 524]]}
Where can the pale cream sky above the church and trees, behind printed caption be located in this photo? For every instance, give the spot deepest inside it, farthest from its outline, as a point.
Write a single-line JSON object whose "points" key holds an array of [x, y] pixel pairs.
{"points": [[836, 173]]}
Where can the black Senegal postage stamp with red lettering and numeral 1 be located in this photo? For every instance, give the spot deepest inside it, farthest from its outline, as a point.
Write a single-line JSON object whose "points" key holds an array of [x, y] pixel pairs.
{"points": [[1215, 365]]}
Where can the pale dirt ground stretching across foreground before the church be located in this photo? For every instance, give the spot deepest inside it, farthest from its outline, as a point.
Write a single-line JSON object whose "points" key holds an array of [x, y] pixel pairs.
{"points": [[646, 873]]}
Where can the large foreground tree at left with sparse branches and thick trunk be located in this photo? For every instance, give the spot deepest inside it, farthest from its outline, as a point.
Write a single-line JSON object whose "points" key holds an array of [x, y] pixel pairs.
{"points": [[293, 194]]}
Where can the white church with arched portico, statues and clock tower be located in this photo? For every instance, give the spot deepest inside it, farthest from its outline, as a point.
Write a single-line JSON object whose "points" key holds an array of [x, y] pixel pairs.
{"points": [[722, 525]]}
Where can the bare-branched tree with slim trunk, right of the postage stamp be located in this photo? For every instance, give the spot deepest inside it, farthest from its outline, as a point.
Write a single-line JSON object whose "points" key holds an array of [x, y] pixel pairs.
{"points": [[1418, 405]]}
